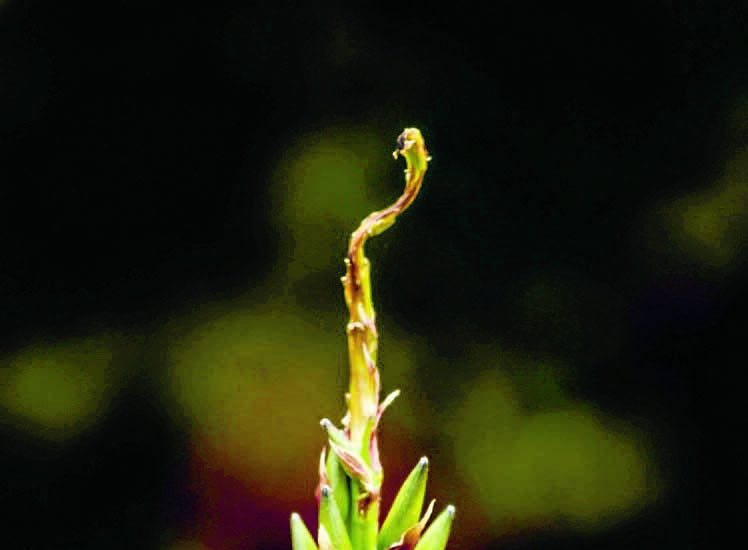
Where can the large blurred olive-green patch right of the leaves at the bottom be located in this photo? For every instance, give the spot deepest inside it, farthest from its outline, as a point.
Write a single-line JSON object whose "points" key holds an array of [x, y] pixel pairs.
{"points": [[555, 468]]}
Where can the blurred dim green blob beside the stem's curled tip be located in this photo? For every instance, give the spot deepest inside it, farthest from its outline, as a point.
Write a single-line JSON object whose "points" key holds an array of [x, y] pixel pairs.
{"points": [[325, 184]]}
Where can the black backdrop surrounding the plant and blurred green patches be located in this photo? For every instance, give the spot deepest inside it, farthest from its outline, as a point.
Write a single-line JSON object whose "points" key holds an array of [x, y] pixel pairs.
{"points": [[138, 142]]}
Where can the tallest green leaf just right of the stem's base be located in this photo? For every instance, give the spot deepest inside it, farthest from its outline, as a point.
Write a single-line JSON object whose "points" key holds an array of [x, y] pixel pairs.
{"points": [[406, 509]]}
